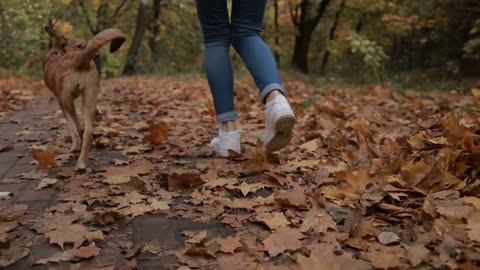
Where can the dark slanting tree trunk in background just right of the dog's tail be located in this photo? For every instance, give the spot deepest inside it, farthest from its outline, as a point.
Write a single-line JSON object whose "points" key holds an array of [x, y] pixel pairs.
{"points": [[141, 26]]}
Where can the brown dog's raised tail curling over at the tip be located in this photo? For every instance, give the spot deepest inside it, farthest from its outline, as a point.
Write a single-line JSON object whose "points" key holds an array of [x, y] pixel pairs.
{"points": [[112, 35]]}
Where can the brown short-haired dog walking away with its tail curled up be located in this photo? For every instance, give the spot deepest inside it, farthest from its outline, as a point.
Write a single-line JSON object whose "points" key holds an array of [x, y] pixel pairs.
{"points": [[69, 72]]}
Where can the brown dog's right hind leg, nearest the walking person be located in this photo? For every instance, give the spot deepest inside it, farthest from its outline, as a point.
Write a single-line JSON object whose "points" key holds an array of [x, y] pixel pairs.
{"points": [[89, 110]]}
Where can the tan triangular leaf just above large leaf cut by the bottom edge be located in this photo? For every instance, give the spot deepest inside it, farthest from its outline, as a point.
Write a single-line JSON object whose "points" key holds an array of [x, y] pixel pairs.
{"points": [[317, 220]]}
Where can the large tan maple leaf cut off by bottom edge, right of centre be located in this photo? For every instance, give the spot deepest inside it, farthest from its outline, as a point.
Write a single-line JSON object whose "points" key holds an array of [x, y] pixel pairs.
{"points": [[324, 257]]}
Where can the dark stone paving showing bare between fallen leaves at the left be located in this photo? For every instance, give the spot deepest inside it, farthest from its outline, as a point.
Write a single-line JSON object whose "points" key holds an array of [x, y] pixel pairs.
{"points": [[18, 160]]}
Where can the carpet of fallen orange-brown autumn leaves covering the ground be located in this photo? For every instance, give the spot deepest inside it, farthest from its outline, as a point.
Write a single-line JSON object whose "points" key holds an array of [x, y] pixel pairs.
{"points": [[373, 179]]}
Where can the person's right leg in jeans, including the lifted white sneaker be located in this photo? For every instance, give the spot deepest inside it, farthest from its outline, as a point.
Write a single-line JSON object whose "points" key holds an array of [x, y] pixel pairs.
{"points": [[246, 26]]}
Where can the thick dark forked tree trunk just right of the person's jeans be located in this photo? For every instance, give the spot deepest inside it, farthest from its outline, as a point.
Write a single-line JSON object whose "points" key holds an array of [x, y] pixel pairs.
{"points": [[306, 26]]}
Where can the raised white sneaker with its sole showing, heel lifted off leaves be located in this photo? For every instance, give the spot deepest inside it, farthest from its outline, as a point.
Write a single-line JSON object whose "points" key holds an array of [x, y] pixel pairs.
{"points": [[280, 120]]}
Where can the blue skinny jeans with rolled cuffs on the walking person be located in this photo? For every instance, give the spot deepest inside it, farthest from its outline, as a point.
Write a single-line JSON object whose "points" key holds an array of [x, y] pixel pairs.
{"points": [[243, 33]]}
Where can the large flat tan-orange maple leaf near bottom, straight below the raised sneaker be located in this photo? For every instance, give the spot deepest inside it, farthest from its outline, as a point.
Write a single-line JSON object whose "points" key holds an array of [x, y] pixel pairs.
{"points": [[283, 239]]}
